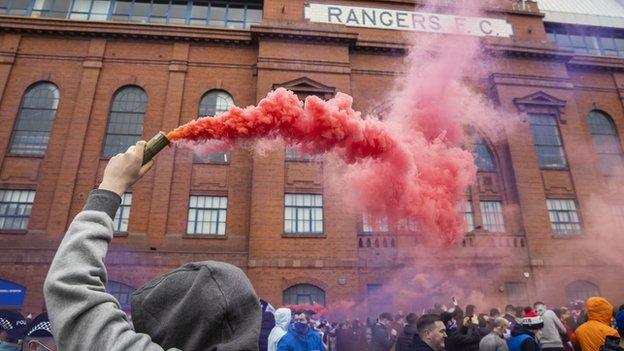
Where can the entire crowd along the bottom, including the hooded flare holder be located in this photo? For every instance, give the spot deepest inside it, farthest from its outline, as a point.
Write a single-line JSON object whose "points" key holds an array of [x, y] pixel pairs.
{"points": [[212, 306]]}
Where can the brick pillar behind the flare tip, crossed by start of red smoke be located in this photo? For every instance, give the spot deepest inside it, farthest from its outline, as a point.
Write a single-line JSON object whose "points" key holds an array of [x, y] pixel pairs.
{"points": [[163, 171]]}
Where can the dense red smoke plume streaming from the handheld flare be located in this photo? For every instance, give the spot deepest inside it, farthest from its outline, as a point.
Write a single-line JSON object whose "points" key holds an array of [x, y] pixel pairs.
{"points": [[401, 174]]}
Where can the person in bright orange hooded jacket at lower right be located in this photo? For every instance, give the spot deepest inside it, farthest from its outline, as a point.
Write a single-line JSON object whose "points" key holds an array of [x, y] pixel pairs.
{"points": [[591, 334]]}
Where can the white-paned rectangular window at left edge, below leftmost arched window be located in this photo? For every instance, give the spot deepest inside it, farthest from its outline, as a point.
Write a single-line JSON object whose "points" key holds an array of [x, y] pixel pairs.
{"points": [[15, 207]]}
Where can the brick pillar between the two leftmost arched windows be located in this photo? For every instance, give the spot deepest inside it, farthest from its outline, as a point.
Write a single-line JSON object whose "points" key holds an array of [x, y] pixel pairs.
{"points": [[76, 138]]}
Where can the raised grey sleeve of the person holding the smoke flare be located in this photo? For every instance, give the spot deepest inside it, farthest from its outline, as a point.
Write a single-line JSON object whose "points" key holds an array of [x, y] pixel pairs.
{"points": [[83, 315]]}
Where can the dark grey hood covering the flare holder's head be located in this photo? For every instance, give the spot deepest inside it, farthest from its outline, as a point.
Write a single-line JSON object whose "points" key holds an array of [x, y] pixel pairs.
{"points": [[206, 305]]}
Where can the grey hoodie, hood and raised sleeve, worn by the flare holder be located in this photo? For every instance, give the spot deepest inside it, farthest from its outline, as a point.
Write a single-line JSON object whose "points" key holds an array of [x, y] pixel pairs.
{"points": [[200, 306]]}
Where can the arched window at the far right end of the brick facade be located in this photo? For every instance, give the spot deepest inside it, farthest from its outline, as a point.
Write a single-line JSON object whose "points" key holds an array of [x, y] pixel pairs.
{"points": [[606, 142]]}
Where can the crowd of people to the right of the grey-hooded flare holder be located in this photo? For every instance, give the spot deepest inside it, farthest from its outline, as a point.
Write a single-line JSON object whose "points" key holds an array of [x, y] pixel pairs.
{"points": [[591, 326]]}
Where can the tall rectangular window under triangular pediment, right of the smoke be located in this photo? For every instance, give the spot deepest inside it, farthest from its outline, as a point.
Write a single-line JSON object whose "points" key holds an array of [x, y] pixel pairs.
{"points": [[547, 141]]}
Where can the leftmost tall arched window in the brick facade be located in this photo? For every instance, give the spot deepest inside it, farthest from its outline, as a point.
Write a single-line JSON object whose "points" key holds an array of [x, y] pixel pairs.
{"points": [[34, 120]]}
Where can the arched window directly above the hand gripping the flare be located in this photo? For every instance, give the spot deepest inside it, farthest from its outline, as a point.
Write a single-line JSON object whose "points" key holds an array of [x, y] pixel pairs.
{"points": [[125, 121]]}
